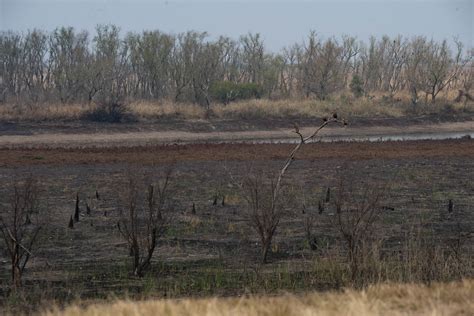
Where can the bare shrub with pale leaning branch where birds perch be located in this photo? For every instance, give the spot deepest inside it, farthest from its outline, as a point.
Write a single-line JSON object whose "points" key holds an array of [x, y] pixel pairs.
{"points": [[265, 199]]}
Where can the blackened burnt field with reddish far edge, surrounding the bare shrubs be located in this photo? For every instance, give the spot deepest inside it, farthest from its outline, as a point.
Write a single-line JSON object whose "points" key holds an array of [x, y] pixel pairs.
{"points": [[214, 251]]}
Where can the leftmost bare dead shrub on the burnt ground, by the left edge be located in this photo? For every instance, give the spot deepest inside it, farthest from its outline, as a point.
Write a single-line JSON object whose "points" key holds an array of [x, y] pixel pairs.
{"points": [[18, 231]]}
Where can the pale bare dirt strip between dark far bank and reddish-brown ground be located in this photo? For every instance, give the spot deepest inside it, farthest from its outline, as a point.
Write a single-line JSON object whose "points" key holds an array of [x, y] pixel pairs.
{"points": [[141, 138]]}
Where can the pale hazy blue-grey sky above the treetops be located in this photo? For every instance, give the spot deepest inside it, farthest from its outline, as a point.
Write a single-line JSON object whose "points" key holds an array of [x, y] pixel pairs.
{"points": [[280, 22]]}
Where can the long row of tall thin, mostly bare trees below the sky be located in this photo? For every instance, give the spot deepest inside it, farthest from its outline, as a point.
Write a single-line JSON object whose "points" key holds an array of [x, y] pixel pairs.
{"points": [[69, 66]]}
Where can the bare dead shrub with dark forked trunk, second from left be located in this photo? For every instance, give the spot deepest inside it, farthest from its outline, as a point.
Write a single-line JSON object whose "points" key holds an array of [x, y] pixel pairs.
{"points": [[145, 220]]}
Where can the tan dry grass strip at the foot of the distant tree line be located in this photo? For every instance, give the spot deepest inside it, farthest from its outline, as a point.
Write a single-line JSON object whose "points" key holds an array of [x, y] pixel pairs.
{"points": [[249, 109]]}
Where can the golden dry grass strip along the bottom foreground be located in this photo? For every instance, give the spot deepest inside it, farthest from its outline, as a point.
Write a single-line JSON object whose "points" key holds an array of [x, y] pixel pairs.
{"points": [[387, 299]]}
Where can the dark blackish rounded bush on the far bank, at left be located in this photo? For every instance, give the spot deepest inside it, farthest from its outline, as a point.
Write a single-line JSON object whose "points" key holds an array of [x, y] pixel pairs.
{"points": [[109, 112]]}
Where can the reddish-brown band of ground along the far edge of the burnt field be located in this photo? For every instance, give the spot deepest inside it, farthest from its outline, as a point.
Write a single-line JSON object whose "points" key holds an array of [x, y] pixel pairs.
{"points": [[149, 155]]}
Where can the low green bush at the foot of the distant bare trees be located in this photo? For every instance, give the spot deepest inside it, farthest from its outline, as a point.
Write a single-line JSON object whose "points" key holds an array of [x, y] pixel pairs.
{"points": [[227, 91]]}
